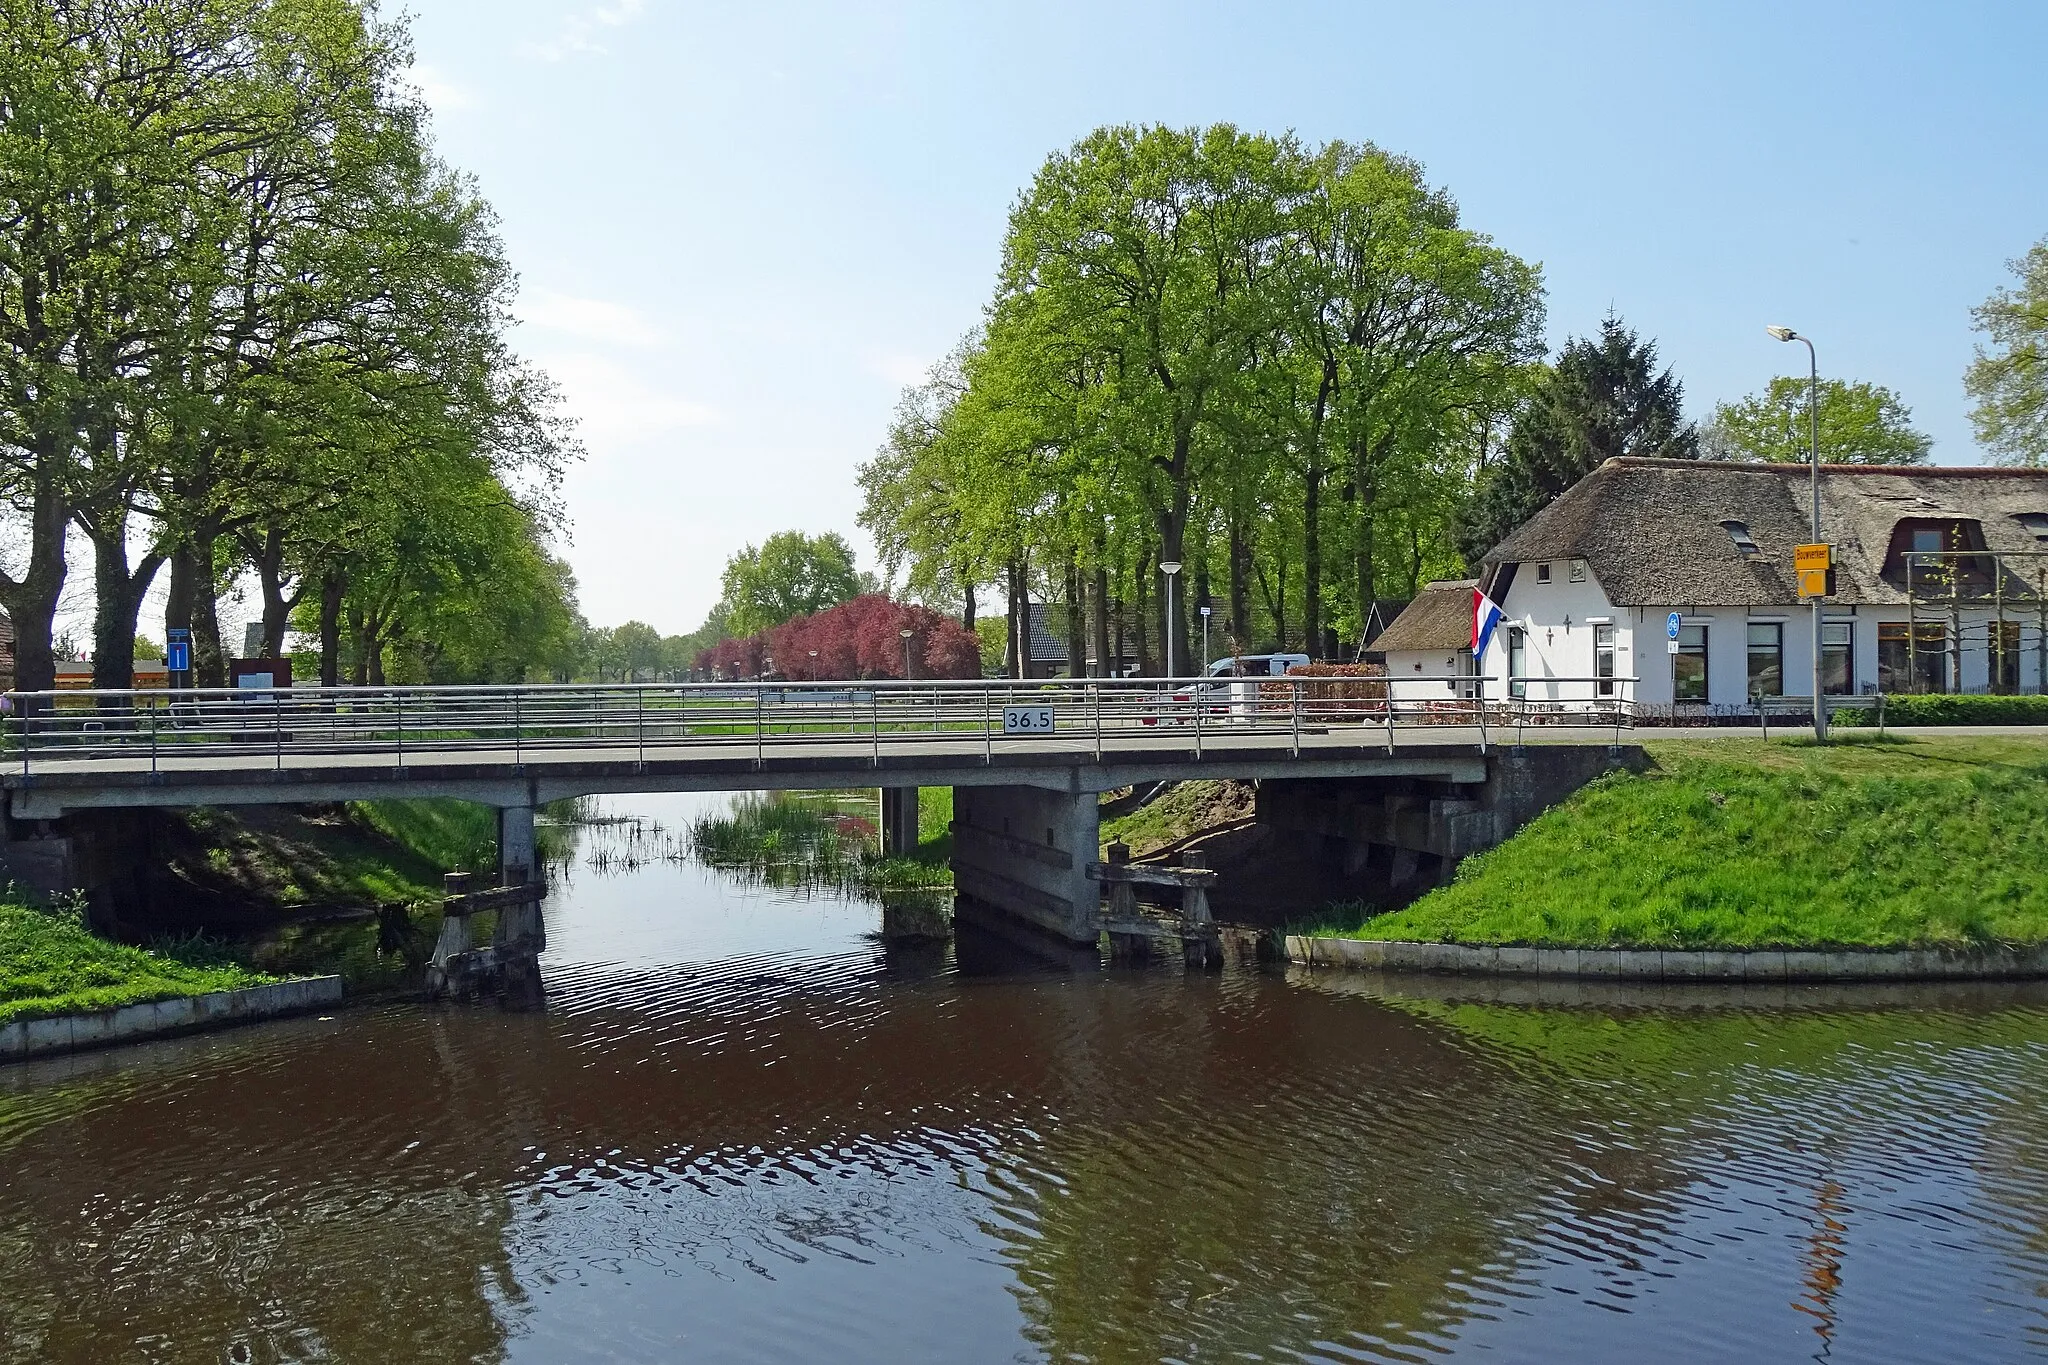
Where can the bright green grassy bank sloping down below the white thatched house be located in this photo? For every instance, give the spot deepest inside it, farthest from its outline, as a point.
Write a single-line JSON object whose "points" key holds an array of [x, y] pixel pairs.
{"points": [[1750, 844]]}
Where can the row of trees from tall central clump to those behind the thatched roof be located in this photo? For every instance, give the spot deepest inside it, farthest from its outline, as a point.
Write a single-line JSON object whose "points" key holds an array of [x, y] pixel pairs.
{"points": [[1291, 371]]}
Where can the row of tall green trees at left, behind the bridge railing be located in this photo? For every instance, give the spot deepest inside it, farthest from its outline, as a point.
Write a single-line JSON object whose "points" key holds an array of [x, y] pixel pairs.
{"points": [[253, 326]]}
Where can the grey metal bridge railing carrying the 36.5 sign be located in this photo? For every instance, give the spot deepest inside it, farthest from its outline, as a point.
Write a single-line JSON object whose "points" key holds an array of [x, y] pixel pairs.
{"points": [[556, 723]]}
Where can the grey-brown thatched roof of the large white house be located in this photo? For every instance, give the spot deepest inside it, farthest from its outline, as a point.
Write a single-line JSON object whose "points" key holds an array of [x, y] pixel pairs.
{"points": [[1656, 531]]}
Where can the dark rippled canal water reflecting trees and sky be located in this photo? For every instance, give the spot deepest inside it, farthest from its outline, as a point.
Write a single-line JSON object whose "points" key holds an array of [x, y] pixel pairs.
{"points": [[749, 1131]]}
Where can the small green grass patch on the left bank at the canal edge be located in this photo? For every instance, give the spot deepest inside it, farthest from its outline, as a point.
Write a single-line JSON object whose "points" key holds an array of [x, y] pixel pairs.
{"points": [[52, 967]]}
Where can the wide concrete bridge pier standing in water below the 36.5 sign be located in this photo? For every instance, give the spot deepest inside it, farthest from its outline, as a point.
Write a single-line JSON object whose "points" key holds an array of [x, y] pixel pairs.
{"points": [[1025, 852]]}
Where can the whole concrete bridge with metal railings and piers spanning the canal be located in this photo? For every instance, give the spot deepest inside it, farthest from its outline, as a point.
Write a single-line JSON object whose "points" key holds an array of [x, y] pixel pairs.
{"points": [[1027, 762]]}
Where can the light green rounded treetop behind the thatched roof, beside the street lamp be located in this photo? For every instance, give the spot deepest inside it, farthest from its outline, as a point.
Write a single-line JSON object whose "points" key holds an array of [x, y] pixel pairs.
{"points": [[1861, 425]]}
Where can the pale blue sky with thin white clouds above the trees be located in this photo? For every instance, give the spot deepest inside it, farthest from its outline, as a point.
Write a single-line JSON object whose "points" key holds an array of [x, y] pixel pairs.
{"points": [[744, 228]]}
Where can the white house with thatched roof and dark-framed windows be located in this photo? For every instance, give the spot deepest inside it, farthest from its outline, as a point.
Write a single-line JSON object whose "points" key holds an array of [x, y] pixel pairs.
{"points": [[1678, 576]]}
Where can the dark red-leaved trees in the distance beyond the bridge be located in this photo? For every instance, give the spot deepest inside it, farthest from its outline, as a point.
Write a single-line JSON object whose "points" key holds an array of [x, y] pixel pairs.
{"points": [[855, 640]]}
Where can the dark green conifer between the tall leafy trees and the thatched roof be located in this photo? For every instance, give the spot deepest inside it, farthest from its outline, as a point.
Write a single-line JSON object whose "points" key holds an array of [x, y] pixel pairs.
{"points": [[1605, 398]]}
